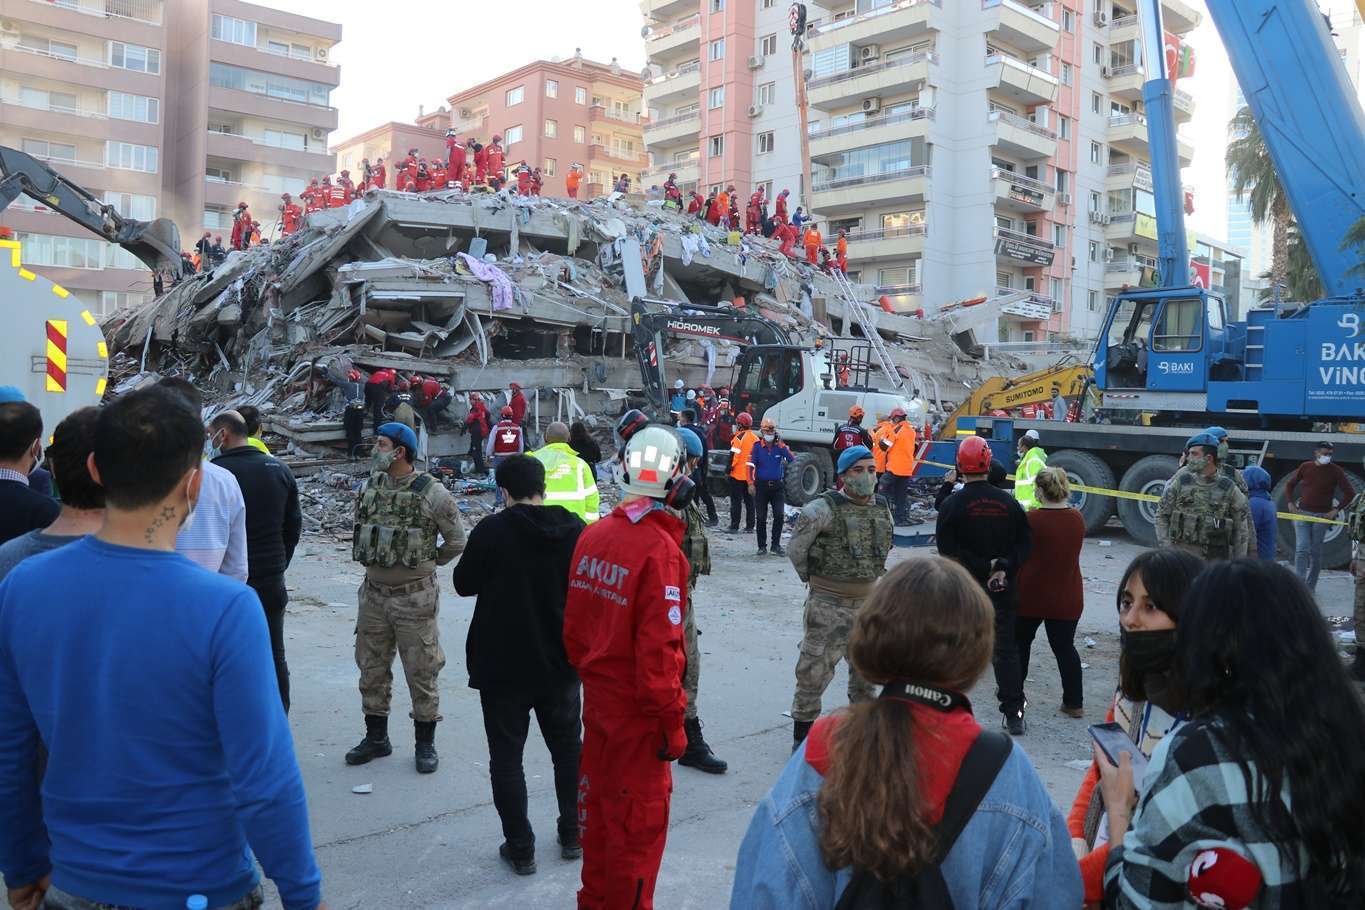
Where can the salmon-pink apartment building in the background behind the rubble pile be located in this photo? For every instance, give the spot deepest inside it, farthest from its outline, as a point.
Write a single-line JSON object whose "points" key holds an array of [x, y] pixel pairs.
{"points": [[554, 114]]}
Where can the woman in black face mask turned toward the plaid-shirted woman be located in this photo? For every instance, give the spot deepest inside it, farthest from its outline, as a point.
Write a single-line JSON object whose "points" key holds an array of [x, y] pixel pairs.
{"points": [[1149, 602]]}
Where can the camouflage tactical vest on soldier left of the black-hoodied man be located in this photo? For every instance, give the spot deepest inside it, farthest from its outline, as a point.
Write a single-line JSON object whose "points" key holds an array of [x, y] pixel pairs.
{"points": [[392, 529]]}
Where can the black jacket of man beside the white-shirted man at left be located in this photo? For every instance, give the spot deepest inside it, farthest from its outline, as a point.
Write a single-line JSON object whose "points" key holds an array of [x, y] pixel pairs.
{"points": [[272, 500]]}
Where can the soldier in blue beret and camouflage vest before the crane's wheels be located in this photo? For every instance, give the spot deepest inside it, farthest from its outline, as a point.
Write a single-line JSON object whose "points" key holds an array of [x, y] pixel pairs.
{"points": [[1202, 511]]}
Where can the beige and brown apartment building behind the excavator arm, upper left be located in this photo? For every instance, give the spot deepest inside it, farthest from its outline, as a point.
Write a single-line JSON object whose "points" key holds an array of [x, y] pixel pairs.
{"points": [[164, 110]]}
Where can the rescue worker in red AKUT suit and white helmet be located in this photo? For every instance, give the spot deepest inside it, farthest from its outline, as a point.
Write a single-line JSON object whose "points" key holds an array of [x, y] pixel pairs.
{"points": [[623, 632]]}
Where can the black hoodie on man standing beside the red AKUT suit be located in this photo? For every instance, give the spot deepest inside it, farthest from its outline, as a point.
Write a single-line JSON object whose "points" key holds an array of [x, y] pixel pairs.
{"points": [[517, 563]]}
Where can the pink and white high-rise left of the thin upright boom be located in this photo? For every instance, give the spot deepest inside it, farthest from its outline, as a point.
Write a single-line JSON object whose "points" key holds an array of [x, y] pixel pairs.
{"points": [[721, 96]]}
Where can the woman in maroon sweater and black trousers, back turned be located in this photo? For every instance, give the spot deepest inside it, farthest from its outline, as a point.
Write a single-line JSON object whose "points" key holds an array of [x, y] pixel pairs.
{"points": [[1052, 594]]}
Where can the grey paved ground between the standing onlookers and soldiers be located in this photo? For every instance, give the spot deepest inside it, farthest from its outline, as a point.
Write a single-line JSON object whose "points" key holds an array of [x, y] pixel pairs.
{"points": [[432, 841]]}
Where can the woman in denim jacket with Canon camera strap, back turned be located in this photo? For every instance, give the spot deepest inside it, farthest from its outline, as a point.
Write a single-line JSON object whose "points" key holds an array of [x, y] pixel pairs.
{"points": [[865, 804]]}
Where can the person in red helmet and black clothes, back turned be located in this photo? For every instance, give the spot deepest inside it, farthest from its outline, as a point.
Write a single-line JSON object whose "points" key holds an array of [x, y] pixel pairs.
{"points": [[988, 533]]}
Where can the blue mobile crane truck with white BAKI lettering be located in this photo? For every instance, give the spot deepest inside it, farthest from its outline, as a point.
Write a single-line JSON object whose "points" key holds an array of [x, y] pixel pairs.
{"points": [[1169, 361]]}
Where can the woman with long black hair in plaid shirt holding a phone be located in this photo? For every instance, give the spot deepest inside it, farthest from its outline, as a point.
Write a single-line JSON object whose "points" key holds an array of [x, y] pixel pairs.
{"points": [[1259, 799]]}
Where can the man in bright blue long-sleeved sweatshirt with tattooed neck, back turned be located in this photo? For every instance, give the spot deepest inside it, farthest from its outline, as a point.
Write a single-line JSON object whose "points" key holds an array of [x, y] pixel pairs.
{"points": [[152, 687]]}
